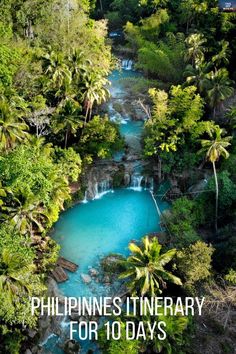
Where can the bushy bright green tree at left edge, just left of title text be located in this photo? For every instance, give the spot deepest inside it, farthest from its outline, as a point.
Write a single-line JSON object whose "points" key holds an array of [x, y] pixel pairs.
{"points": [[19, 278]]}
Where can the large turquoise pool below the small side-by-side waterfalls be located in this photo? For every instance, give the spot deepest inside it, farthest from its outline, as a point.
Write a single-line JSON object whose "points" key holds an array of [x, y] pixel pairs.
{"points": [[87, 232]]}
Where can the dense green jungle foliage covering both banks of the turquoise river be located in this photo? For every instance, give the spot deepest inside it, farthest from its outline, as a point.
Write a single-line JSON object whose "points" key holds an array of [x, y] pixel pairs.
{"points": [[55, 57]]}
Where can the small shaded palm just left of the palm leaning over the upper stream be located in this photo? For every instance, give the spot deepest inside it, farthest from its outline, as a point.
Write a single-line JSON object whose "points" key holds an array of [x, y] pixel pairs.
{"points": [[68, 119]]}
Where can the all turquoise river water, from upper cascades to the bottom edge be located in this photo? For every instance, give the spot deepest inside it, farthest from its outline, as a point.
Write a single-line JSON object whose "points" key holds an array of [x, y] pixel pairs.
{"points": [[88, 232]]}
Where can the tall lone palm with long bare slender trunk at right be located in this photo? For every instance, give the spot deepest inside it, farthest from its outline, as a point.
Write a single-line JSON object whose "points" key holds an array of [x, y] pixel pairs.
{"points": [[214, 148]]}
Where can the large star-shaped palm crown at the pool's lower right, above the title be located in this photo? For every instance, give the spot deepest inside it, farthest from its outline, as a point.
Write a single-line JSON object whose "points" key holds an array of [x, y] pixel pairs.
{"points": [[145, 268]]}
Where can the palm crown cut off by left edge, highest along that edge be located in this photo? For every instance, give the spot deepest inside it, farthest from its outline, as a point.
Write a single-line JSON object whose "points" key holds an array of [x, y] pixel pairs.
{"points": [[12, 131]]}
